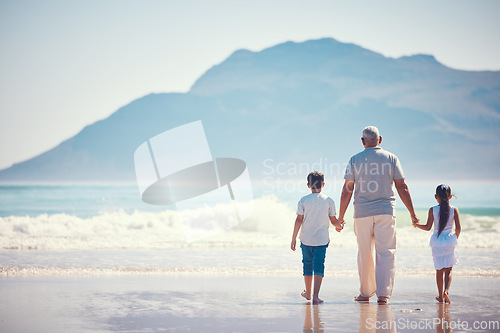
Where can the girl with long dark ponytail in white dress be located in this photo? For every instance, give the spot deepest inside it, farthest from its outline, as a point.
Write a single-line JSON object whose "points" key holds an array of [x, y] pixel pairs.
{"points": [[444, 239]]}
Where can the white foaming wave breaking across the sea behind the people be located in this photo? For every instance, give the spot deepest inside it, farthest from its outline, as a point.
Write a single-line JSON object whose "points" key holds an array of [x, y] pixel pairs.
{"points": [[270, 225]]}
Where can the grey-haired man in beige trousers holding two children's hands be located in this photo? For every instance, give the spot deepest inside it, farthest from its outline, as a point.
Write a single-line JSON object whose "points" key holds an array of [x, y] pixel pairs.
{"points": [[370, 174]]}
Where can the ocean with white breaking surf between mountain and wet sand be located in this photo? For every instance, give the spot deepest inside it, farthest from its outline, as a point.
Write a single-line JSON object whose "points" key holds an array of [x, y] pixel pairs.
{"points": [[106, 229]]}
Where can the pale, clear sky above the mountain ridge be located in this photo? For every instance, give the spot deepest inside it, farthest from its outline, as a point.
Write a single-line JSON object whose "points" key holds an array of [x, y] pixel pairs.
{"points": [[67, 64]]}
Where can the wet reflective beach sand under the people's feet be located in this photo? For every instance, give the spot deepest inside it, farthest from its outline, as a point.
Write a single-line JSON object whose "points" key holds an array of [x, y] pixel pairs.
{"points": [[231, 303]]}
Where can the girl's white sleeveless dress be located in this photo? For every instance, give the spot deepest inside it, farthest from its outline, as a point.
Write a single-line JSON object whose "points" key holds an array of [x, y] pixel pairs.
{"points": [[443, 247]]}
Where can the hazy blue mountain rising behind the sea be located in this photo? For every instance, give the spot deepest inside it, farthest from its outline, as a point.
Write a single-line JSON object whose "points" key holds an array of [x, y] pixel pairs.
{"points": [[295, 106]]}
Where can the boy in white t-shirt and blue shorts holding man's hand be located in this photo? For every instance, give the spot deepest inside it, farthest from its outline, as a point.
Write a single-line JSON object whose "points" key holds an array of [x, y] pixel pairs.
{"points": [[315, 212]]}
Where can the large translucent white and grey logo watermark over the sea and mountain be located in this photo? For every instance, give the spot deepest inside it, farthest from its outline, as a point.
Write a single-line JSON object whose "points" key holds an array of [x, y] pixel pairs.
{"points": [[176, 167]]}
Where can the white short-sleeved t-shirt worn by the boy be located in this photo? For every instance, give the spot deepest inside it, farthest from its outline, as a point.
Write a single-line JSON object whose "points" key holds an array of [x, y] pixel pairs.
{"points": [[316, 208]]}
